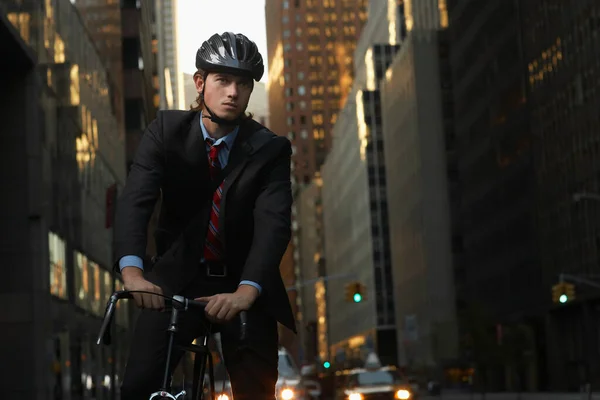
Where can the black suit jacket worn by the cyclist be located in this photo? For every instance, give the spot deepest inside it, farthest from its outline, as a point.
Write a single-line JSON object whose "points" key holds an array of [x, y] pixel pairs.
{"points": [[255, 211]]}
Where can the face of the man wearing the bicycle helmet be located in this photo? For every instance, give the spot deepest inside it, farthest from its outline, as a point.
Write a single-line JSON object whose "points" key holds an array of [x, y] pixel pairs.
{"points": [[225, 94]]}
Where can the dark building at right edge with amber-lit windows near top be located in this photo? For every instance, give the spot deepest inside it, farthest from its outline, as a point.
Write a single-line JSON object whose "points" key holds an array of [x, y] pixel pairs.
{"points": [[563, 96]]}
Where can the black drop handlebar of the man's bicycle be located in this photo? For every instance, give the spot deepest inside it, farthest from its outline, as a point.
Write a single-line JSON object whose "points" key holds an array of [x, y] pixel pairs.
{"points": [[178, 302]]}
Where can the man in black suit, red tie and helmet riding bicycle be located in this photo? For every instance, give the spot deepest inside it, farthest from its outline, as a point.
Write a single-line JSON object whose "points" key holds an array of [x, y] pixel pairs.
{"points": [[225, 222]]}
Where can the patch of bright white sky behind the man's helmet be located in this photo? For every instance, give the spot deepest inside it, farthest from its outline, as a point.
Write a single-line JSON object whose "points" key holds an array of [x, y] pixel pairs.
{"points": [[197, 20]]}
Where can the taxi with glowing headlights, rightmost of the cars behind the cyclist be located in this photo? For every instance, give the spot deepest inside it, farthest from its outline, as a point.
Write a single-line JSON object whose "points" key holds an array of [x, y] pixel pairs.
{"points": [[373, 382]]}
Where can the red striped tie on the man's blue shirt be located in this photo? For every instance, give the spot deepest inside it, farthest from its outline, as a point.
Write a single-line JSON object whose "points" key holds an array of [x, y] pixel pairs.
{"points": [[213, 248]]}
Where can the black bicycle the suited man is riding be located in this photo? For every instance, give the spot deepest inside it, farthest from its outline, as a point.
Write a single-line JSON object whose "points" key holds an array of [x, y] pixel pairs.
{"points": [[203, 357]]}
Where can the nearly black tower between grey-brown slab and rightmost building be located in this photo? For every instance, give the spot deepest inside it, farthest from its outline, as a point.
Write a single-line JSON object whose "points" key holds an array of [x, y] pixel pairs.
{"points": [[503, 285]]}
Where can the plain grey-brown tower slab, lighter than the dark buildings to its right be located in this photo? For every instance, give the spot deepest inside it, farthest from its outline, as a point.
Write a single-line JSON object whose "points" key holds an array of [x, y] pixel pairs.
{"points": [[419, 153]]}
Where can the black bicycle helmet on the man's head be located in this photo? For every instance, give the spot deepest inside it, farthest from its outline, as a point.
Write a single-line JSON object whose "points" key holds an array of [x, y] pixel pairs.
{"points": [[230, 53]]}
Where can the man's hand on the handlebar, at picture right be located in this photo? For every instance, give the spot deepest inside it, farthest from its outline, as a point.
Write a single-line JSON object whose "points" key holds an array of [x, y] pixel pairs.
{"points": [[224, 307]]}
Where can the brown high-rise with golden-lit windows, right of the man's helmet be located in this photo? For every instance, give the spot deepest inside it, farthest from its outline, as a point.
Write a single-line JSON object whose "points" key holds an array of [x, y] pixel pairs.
{"points": [[310, 48]]}
